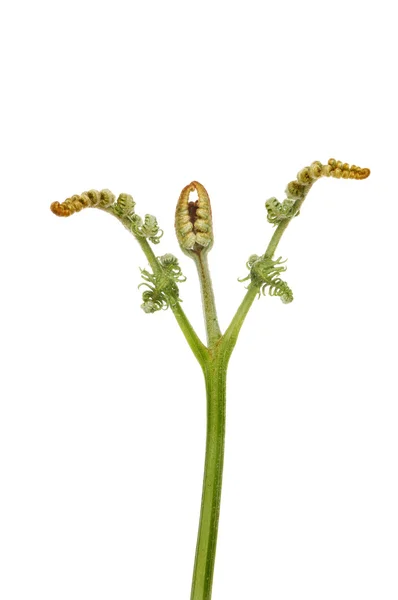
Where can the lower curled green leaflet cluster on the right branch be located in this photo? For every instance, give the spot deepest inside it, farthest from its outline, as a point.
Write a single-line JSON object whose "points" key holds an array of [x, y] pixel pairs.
{"points": [[264, 274]]}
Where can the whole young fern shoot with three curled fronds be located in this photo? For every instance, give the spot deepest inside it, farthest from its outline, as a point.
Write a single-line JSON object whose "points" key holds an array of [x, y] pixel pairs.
{"points": [[193, 224]]}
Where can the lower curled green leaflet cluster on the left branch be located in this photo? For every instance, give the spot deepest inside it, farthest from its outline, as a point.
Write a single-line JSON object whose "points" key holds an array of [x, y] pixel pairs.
{"points": [[162, 289]]}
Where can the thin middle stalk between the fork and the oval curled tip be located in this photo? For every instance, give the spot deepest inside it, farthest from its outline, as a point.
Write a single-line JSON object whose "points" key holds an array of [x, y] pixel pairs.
{"points": [[208, 301]]}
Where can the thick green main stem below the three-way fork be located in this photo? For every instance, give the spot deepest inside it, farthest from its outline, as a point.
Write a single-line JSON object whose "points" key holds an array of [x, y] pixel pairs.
{"points": [[215, 378]]}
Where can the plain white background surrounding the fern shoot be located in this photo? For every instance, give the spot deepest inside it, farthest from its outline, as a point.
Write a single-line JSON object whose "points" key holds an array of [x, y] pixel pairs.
{"points": [[102, 421]]}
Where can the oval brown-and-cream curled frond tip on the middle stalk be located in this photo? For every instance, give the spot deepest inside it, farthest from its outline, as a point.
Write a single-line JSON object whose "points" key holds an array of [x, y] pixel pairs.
{"points": [[193, 222]]}
